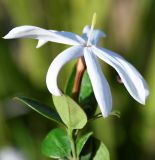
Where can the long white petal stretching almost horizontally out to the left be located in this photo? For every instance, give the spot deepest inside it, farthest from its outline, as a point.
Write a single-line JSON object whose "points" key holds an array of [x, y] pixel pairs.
{"points": [[46, 35]]}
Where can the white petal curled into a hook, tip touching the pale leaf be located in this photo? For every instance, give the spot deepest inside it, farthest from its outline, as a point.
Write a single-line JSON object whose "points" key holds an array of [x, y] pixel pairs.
{"points": [[56, 65]]}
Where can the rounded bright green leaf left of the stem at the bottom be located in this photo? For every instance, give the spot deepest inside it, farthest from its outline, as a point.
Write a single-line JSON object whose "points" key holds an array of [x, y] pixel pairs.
{"points": [[56, 144]]}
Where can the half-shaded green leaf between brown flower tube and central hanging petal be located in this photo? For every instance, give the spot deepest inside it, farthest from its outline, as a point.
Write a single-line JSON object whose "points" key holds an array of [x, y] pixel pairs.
{"points": [[86, 96]]}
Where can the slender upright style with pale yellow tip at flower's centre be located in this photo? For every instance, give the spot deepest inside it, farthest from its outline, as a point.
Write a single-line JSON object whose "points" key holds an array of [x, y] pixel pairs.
{"points": [[91, 30]]}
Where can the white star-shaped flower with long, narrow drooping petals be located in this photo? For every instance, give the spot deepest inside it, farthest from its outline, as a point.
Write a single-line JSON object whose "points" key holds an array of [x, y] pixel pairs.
{"points": [[86, 46]]}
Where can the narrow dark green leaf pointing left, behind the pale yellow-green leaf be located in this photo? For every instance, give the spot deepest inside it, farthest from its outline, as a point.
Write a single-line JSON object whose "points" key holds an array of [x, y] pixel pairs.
{"points": [[42, 109]]}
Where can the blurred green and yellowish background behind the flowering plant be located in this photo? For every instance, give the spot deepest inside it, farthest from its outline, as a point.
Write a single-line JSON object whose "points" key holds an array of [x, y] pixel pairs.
{"points": [[130, 28]]}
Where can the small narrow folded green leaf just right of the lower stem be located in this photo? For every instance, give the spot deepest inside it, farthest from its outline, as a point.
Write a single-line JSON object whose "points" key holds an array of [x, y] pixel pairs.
{"points": [[81, 142]]}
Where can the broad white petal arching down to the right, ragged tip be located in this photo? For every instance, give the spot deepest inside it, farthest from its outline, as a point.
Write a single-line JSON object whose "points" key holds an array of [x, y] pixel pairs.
{"points": [[132, 79]]}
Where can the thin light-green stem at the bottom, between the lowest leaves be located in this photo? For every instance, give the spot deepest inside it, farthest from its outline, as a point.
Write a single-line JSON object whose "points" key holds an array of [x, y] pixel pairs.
{"points": [[70, 133]]}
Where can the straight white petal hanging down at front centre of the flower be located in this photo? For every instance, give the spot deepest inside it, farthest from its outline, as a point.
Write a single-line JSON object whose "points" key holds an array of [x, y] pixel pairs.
{"points": [[99, 83]]}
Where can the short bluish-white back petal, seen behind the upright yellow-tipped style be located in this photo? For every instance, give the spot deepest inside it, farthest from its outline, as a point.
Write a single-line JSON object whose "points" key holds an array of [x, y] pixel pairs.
{"points": [[97, 34]]}
